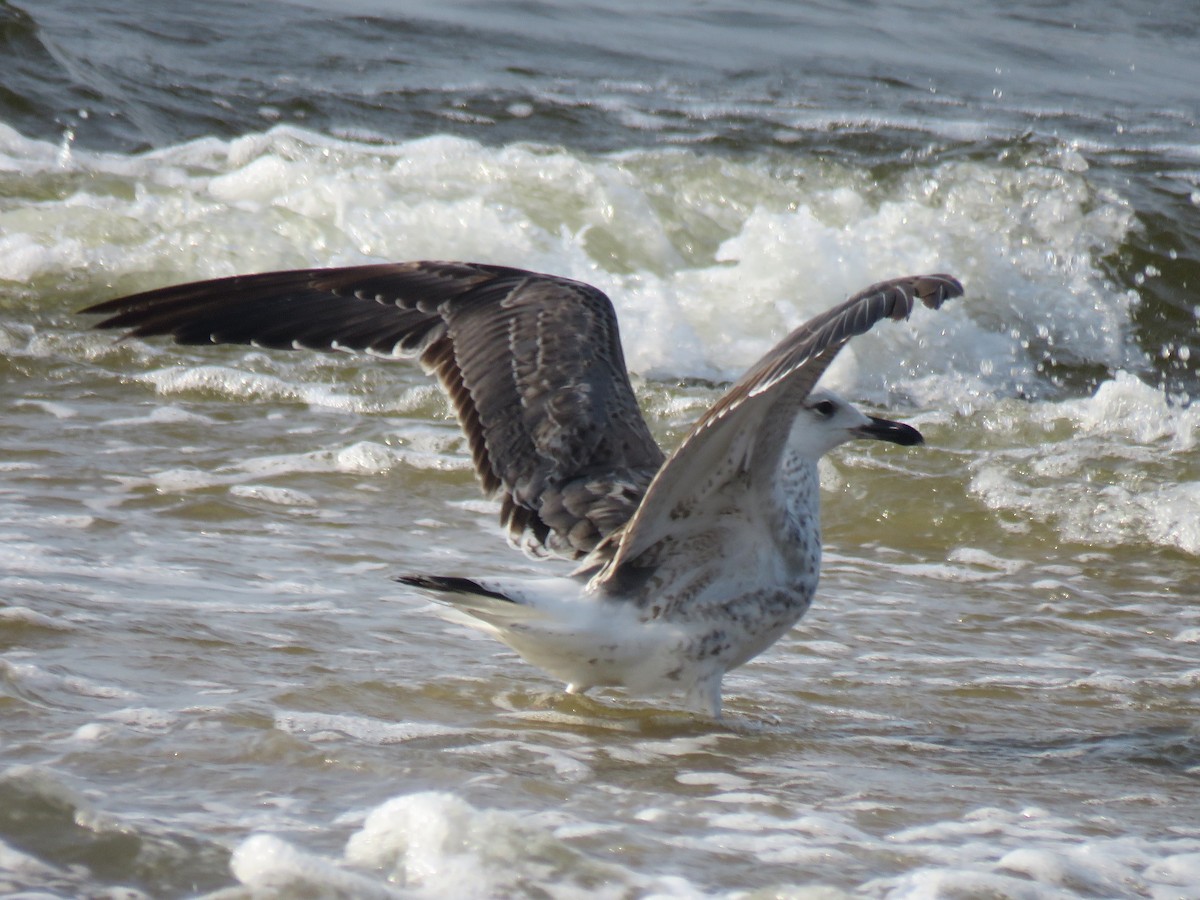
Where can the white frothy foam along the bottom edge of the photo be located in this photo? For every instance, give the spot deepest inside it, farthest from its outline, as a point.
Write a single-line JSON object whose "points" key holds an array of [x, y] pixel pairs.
{"points": [[436, 844]]}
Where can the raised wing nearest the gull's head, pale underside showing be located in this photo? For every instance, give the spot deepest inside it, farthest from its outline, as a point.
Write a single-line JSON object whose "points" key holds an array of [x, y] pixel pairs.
{"points": [[747, 430]]}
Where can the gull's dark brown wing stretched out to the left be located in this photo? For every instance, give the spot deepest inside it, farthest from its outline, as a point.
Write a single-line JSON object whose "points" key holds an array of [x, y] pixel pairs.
{"points": [[532, 363]]}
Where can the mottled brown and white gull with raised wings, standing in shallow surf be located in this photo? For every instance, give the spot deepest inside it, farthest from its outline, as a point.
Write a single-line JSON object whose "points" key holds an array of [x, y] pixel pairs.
{"points": [[687, 566]]}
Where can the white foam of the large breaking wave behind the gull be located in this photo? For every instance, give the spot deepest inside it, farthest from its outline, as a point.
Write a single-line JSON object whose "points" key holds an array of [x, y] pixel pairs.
{"points": [[1030, 237]]}
